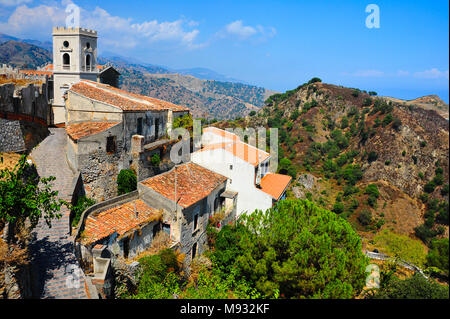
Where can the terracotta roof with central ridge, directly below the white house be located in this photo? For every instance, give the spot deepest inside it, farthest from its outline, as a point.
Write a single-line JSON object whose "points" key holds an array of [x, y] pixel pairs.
{"points": [[193, 183]]}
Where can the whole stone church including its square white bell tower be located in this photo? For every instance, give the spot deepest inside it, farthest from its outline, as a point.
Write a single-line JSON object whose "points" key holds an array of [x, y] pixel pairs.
{"points": [[101, 119]]}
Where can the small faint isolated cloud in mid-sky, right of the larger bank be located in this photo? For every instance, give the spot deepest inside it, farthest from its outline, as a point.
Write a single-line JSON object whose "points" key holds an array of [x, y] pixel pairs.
{"points": [[239, 31]]}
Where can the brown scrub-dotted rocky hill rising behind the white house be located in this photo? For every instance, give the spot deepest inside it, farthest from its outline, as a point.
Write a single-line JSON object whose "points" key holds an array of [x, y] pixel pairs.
{"points": [[381, 165]]}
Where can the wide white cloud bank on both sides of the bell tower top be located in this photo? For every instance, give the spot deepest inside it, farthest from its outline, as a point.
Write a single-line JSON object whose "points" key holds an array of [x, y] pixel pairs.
{"points": [[114, 31]]}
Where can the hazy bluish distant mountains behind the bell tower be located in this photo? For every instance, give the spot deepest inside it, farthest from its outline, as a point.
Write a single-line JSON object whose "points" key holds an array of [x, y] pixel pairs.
{"points": [[207, 93]]}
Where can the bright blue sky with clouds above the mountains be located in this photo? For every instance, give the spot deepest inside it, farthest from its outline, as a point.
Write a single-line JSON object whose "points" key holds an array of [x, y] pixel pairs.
{"points": [[274, 44]]}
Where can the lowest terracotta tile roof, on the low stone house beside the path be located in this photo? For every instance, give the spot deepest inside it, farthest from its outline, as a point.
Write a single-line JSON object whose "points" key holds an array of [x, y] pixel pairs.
{"points": [[121, 219]]}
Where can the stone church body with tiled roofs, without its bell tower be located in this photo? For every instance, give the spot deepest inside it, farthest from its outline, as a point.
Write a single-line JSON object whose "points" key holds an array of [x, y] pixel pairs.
{"points": [[100, 123]]}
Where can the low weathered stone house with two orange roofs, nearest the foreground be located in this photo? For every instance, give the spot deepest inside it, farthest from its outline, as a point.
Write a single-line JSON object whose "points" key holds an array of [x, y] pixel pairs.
{"points": [[178, 202]]}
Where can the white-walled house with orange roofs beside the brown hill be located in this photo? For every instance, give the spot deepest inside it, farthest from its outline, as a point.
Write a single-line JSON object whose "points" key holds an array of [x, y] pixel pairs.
{"points": [[245, 166]]}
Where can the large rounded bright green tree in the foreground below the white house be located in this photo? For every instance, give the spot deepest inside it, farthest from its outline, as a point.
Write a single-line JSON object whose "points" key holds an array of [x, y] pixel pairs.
{"points": [[296, 250]]}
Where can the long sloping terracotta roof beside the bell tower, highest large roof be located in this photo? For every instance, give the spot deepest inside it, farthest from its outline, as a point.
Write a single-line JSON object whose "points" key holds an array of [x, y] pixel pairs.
{"points": [[127, 101]]}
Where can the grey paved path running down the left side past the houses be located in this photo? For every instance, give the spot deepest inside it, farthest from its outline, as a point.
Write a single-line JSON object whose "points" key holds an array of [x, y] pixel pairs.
{"points": [[56, 272]]}
